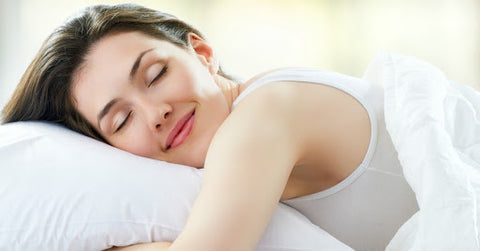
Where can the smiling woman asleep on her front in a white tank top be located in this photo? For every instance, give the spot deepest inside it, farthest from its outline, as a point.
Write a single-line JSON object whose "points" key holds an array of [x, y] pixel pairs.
{"points": [[148, 83]]}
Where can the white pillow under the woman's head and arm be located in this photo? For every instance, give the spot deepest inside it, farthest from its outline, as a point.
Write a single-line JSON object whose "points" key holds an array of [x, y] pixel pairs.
{"points": [[60, 190]]}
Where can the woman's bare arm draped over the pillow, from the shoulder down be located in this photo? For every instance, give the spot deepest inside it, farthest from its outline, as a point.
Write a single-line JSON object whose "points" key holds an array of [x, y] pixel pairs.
{"points": [[246, 170]]}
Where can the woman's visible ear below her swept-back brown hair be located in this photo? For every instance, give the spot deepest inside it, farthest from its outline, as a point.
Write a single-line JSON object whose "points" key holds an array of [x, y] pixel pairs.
{"points": [[203, 51]]}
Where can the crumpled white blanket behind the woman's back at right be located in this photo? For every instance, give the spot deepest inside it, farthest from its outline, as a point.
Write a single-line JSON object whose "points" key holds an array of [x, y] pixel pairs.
{"points": [[435, 127]]}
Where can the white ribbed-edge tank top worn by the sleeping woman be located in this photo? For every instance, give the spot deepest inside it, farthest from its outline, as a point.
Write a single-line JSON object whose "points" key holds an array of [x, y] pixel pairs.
{"points": [[367, 208]]}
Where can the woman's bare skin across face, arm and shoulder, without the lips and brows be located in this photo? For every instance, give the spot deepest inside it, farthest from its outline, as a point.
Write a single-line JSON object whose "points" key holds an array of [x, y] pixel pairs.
{"points": [[273, 146]]}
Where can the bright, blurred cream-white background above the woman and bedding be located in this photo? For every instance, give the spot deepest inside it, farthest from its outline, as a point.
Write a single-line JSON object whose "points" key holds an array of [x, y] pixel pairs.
{"points": [[251, 36]]}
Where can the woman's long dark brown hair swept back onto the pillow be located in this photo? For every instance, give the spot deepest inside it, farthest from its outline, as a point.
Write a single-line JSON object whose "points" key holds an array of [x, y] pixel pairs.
{"points": [[44, 91]]}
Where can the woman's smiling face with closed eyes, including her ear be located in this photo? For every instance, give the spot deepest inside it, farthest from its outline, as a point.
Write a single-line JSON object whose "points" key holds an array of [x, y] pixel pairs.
{"points": [[152, 98]]}
